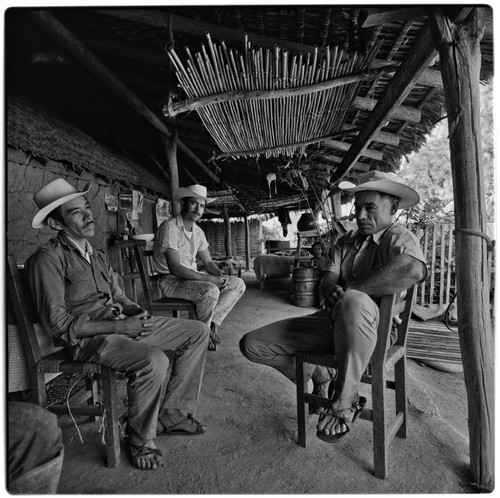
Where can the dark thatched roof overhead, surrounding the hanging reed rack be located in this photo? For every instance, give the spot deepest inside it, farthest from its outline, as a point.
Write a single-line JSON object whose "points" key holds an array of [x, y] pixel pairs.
{"points": [[108, 72]]}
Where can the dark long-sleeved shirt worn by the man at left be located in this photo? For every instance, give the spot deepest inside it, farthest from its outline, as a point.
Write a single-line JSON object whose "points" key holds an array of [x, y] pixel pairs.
{"points": [[69, 291]]}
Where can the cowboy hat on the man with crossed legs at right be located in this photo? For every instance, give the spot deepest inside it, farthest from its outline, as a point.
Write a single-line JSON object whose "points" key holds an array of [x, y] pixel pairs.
{"points": [[385, 183]]}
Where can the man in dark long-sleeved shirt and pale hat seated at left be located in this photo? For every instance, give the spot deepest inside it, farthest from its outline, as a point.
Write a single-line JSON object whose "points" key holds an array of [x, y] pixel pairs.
{"points": [[82, 306]]}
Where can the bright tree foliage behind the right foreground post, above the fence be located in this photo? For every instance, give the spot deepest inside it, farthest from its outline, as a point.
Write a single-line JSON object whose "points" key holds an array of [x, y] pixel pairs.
{"points": [[429, 170]]}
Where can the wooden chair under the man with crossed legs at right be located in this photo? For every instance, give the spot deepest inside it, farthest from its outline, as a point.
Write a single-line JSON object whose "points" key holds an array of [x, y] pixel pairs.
{"points": [[384, 358]]}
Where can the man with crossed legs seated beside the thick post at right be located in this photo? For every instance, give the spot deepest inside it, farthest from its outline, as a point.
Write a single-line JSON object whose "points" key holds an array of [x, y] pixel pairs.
{"points": [[380, 257]]}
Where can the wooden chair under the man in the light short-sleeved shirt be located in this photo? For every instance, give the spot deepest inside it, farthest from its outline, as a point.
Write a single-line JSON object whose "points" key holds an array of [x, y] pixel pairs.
{"points": [[134, 262]]}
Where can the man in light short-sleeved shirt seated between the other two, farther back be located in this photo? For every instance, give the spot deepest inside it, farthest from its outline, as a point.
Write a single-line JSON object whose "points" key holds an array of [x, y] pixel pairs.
{"points": [[178, 243]]}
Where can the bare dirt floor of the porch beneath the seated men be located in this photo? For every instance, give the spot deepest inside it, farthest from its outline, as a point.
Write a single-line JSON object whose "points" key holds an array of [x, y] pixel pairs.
{"points": [[250, 447]]}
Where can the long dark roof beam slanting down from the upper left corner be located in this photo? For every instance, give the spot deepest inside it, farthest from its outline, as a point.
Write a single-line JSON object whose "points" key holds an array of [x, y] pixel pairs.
{"points": [[58, 31]]}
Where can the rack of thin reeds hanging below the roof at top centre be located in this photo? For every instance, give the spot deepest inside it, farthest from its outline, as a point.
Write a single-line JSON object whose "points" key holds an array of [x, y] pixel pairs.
{"points": [[264, 101]]}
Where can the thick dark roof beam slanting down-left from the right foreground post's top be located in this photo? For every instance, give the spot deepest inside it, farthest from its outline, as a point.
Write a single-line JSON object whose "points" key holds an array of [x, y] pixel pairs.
{"points": [[417, 59]]}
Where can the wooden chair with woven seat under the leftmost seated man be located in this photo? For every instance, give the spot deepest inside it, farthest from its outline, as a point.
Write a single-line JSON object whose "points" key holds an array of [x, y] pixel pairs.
{"points": [[97, 403]]}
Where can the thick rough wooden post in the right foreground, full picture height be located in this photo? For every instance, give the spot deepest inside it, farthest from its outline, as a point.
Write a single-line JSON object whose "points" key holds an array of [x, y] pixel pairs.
{"points": [[460, 60]]}
